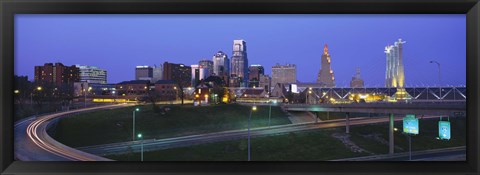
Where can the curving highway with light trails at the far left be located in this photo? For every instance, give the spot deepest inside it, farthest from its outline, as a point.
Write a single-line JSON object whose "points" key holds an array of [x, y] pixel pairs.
{"points": [[32, 143]]}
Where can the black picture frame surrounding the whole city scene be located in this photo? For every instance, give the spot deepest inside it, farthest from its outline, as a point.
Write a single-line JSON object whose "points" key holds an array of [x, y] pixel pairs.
{"points": [[8, 8]]}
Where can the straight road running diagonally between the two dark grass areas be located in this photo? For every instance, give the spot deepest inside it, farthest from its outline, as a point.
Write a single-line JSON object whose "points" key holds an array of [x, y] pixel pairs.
{"points": [[157, 144]]}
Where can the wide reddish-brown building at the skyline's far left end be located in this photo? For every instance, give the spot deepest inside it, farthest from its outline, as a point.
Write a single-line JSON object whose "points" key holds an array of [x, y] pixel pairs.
{"points": [[57, 74]]}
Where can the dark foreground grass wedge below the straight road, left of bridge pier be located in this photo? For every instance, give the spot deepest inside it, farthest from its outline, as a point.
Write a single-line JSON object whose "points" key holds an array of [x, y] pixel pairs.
{"points": [[303, 146]]}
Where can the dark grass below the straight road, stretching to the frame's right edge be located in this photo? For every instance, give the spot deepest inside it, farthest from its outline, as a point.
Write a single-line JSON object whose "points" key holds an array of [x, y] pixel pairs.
{"points": [[312, 145]]}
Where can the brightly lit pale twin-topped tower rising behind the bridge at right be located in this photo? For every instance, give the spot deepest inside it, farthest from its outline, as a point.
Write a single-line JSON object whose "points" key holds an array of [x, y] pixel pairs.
{"points": [[394, 75]]}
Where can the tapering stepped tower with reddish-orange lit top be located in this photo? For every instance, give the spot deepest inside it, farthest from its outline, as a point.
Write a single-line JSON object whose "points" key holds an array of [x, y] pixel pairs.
{"points": [[325, 75]]}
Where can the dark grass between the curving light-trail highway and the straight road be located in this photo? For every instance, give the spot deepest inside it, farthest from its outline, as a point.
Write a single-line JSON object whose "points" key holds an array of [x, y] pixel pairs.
{"points": [[109, 126]]}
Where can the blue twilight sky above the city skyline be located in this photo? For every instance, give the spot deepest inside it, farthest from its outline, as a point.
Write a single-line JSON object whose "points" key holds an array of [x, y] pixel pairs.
{"points": [[118, 43]]}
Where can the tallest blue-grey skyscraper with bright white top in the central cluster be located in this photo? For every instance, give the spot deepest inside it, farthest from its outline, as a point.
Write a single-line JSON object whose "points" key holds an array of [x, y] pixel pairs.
{"points": [[239, 63]]}
